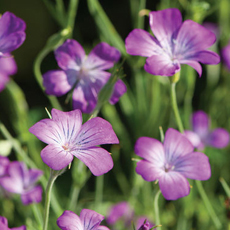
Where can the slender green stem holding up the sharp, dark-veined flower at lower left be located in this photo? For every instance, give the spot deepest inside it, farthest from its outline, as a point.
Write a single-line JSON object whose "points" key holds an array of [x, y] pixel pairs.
{"points": [[52, 178]]}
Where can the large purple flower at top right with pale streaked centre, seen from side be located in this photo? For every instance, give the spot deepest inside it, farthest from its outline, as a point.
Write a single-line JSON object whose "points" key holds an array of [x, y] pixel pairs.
{"points": [[174, 43]]}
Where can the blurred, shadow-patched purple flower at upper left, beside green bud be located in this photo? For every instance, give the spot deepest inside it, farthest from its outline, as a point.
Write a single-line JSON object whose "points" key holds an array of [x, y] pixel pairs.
{"points": [[86, 75]]}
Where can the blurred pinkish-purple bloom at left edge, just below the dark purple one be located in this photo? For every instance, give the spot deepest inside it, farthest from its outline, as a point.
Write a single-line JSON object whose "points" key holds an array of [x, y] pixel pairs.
{"points": [[7, 67]]}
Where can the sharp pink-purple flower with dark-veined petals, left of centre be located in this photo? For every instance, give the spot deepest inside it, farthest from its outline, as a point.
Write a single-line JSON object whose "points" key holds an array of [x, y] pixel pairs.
{"points": [[67, 137]]}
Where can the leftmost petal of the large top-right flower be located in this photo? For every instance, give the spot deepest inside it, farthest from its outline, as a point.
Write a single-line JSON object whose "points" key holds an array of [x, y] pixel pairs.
{"points": [[139, 42]]}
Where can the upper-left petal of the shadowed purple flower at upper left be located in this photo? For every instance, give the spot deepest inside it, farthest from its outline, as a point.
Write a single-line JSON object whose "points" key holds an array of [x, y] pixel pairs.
{"points": [[70, 55]]}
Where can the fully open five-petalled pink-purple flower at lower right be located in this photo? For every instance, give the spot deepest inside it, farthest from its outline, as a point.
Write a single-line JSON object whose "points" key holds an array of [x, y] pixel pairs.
{"points": [[171, 163]]}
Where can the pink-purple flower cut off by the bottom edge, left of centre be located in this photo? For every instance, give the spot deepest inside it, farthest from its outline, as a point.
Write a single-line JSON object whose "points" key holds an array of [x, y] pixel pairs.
{"points": [[88, 220]]}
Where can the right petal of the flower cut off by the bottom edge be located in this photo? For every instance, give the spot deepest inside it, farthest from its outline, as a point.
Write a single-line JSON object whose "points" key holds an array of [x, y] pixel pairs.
{"points": [[90, 219]]}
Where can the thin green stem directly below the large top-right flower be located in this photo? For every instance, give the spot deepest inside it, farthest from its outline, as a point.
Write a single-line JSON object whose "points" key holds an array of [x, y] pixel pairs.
{"points": [[175, 107]]}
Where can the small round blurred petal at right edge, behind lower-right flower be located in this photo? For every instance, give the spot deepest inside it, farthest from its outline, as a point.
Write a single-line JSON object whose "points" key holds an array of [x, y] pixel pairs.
{"points": [[219, 138]]}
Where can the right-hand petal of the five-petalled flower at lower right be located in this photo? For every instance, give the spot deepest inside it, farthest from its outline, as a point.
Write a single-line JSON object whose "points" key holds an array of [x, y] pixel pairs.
{"points": [[194, 166]]}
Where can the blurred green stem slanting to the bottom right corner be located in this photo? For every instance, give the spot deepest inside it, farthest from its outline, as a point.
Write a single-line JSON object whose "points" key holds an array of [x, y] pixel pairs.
{"points": [[208, 205]]}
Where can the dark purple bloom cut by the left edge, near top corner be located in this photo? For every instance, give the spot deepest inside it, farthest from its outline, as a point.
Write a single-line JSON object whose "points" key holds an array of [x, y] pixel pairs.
{"points": [[12, 33]]}
